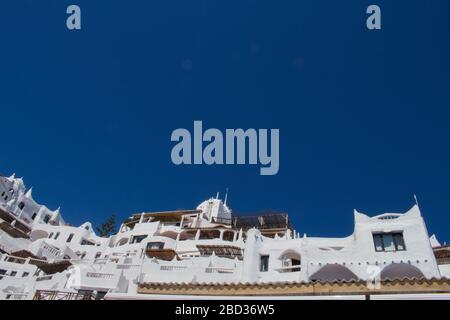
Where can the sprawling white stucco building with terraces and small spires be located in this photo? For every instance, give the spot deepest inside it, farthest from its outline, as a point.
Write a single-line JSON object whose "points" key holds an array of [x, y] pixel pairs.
{"points": [[41, 256]]}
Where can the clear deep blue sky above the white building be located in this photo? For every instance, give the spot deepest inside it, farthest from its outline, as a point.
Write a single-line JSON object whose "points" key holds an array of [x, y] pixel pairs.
{"points": [[86, 116]]}
